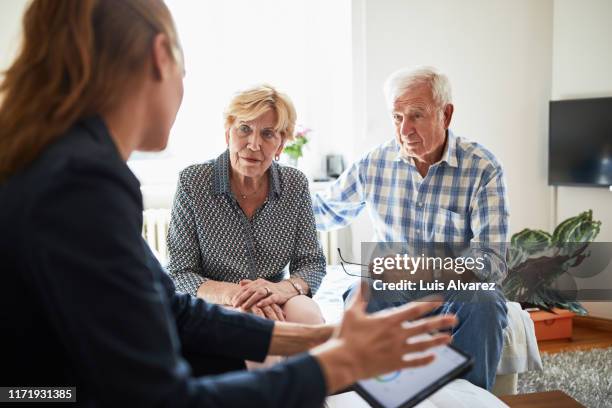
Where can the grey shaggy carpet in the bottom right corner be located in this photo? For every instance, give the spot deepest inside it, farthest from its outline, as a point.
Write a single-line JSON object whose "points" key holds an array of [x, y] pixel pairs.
{"points": [[586, 376]]}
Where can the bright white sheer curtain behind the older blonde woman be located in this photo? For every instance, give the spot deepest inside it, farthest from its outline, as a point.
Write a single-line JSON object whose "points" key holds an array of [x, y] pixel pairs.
{"points": [[302, 47]]}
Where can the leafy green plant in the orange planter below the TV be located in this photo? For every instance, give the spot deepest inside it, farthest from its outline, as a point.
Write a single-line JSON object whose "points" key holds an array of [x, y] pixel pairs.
{"points": [[537, 259]]}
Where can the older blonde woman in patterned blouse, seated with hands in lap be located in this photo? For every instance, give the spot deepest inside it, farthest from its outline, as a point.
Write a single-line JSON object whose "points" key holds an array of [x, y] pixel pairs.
{"points": [[240, 219]]}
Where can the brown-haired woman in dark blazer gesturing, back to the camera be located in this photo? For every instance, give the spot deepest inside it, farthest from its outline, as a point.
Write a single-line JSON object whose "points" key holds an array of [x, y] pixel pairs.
{"points": [[85, 304]]}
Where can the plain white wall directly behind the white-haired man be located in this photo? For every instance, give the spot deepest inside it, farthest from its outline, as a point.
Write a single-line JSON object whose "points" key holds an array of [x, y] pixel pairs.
{"points": [[497, 55]]}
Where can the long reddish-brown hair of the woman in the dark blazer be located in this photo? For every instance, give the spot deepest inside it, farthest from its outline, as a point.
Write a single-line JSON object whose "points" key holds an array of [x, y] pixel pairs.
{"points": [[77, 58]]}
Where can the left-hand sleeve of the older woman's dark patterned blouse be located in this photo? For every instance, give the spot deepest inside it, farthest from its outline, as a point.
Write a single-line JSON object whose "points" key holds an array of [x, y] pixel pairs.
{"points": [[185, 259]]}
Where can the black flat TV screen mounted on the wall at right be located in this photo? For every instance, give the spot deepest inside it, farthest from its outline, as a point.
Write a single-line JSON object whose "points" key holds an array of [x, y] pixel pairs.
{"points": [[580, 142]]}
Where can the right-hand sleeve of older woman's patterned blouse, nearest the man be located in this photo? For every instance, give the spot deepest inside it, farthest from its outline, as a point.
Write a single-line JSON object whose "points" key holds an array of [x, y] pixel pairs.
{"points": [[308, 261]]}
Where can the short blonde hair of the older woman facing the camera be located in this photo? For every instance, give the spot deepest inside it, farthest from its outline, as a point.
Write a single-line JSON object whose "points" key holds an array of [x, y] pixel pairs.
{"points": [[254, 102]]}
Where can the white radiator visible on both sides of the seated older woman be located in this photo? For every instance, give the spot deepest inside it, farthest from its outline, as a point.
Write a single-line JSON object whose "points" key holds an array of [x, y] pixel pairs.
{"points": [[155, 231]]}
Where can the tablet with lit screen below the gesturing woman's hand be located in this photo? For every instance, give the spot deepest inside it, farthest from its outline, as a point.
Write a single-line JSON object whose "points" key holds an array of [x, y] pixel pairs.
{"points": [[407, 387]]}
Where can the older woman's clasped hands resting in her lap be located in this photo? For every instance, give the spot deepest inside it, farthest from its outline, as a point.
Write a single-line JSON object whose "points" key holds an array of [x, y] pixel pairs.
{"points": [[262, 298]]}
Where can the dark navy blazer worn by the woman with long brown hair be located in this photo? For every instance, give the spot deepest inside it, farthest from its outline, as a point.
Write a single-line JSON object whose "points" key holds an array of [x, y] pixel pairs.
{"points": [[84, 303]]}
